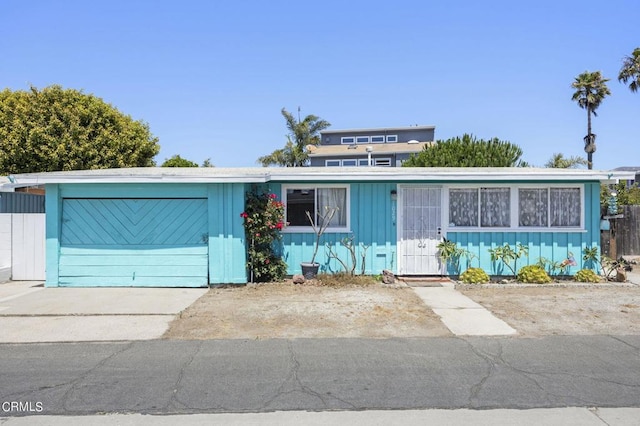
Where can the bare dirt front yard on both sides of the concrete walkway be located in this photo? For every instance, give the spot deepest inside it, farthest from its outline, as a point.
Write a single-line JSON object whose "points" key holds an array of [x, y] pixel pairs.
{"points": [[286, 310]]}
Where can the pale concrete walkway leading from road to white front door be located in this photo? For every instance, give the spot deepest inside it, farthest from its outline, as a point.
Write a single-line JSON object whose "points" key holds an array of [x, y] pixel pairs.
{"points": [[460, 314]]}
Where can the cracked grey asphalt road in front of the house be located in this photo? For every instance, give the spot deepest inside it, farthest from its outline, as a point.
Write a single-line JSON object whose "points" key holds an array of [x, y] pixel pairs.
{"points": [[320, 374]]}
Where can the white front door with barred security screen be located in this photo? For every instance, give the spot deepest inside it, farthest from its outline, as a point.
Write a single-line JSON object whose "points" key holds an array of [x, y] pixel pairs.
{"points": [[419, 230]]}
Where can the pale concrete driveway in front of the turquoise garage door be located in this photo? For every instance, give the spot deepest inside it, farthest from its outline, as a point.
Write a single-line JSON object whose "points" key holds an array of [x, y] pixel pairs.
{"points": [[31, 313]]}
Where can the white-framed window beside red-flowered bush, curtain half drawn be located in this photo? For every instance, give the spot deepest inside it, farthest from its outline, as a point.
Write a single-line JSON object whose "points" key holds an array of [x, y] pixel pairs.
{"points": [[316, 200]]}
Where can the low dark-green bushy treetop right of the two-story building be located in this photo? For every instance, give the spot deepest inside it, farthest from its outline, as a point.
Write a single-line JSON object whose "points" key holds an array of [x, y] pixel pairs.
{"points": [[467, 151]]}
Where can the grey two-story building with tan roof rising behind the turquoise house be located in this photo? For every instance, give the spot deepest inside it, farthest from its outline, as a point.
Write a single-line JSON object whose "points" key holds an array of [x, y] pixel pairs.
{"points": [[388, 147]]}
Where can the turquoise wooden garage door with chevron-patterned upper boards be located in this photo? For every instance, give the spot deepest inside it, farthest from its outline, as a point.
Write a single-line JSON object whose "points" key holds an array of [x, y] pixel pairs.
{"points": [[134, 242]]}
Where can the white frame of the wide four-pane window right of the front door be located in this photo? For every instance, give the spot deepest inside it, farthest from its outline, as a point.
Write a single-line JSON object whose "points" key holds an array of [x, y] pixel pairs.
{"points": [[514, 203]]}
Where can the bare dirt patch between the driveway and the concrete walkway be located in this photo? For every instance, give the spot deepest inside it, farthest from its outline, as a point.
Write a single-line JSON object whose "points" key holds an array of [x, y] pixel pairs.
{"points": [[287, 310]]}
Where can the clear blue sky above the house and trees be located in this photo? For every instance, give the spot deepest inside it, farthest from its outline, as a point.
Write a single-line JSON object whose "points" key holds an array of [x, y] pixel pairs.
{"points": [[210, 77]]}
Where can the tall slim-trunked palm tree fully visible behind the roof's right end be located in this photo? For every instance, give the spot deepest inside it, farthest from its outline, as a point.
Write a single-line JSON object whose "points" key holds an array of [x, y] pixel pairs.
{"points": [[591, 89]]}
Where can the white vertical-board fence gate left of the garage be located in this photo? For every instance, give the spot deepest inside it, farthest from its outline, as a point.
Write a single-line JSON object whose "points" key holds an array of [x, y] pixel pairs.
{"points": [[22, 246]]}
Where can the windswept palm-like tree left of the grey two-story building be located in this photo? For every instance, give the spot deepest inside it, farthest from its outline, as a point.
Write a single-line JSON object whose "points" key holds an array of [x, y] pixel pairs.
{"points": [[301, 134]]}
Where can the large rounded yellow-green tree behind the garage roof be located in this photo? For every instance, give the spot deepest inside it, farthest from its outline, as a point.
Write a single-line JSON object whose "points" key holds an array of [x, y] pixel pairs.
{"points": [[64, 129]]}
